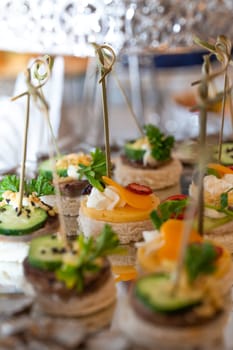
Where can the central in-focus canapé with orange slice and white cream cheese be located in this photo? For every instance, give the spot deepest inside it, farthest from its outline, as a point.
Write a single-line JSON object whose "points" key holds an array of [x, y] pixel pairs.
{"points": [[127, 209]]}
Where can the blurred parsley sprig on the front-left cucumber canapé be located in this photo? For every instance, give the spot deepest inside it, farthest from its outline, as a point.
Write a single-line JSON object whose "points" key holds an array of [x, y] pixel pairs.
{"points": [[86, 261]]}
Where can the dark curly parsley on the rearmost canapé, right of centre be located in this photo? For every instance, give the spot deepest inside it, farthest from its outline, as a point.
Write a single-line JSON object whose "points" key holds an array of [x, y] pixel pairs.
{"points": [[161, 144]]}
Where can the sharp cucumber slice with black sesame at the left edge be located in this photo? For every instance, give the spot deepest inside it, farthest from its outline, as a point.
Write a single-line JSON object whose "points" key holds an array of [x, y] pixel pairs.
{"points": [[11, 224]]}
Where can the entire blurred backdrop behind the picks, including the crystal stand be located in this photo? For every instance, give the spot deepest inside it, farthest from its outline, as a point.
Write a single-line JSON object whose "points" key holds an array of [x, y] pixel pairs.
{"points": [[156, 64]]}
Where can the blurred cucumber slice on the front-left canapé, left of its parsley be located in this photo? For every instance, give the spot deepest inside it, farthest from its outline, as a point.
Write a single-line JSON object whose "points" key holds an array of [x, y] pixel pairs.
{"points": [[45, 252]]}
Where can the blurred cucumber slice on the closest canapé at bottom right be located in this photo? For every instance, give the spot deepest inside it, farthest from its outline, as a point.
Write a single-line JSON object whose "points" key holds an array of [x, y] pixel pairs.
{"points": [[155, 291]]}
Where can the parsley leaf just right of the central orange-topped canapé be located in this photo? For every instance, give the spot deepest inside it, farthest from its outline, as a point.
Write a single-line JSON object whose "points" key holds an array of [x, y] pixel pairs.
{"points": [[167, 210]]}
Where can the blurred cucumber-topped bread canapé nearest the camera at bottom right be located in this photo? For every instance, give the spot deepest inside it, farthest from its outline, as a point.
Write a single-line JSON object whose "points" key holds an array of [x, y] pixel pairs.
{"points": [[192, 314]]}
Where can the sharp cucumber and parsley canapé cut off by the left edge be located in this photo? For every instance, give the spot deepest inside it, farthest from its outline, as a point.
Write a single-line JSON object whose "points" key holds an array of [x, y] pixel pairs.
{"points": [[35, 218]]}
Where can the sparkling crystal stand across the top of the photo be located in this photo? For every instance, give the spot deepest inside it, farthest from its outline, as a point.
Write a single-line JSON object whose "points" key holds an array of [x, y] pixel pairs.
{"points": [[68, 27]]}
